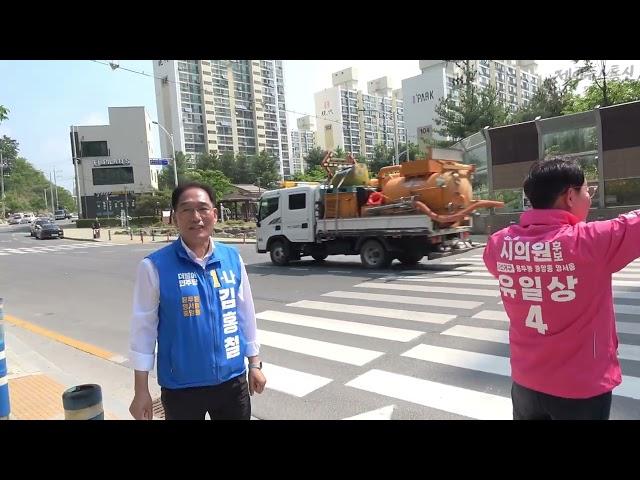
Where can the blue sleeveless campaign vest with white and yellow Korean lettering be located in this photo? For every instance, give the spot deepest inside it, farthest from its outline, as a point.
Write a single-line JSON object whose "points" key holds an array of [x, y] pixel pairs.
{"points": [[200, 342]]}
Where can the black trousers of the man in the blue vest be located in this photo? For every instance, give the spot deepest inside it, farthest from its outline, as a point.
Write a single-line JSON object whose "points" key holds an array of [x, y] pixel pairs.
{"points": [[228, 401]]}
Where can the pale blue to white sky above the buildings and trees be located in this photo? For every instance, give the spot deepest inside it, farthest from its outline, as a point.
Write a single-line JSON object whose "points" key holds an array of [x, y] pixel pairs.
{"points": [[46, 97]]}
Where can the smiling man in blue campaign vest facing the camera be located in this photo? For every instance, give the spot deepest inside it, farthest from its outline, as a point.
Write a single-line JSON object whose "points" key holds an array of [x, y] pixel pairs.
{"points": [[194, 299]]}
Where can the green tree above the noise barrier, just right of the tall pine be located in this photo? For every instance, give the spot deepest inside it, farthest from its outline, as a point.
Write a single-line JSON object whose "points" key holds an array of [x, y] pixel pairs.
{"points": [[550, 100]]}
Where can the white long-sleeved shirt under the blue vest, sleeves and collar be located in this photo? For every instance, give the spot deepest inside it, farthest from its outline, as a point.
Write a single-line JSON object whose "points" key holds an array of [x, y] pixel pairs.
{"points": [[146, 299]]}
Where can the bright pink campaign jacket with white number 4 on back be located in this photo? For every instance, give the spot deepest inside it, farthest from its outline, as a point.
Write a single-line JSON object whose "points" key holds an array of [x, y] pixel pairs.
{"points": [[554, 275]]}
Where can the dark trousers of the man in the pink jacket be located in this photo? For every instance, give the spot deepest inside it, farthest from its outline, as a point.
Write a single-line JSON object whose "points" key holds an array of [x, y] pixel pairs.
{"points": [[532, 405]]}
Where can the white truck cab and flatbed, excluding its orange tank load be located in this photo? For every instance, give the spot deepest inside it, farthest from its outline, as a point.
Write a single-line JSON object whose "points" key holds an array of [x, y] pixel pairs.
{"points": [[290, 226]]}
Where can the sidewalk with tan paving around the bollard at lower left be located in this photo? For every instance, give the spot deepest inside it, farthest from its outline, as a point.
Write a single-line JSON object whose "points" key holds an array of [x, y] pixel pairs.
{"points": [[40, 369]]}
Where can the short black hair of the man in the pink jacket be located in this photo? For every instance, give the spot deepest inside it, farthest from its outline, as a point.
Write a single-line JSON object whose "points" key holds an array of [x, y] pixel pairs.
{"points": [[550, 178]]}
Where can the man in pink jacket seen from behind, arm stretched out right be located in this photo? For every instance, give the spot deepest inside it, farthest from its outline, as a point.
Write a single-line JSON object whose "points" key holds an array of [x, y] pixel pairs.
{"points": [[554, 272]]}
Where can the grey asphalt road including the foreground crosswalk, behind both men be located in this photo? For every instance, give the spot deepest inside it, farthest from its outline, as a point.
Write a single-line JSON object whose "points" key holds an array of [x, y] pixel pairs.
{"points": [[337, 340]]}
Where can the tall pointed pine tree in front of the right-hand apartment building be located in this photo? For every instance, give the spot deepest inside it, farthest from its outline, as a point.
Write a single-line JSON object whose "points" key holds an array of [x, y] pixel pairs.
{"points": [[473, 109]]}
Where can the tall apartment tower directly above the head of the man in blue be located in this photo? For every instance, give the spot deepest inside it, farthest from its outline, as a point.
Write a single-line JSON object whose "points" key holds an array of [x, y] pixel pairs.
{"points": [[223, 105]]}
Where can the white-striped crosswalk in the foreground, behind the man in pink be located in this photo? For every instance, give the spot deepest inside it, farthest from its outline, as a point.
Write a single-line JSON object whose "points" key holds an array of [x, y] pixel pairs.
{"points": [[432, 341]]}
